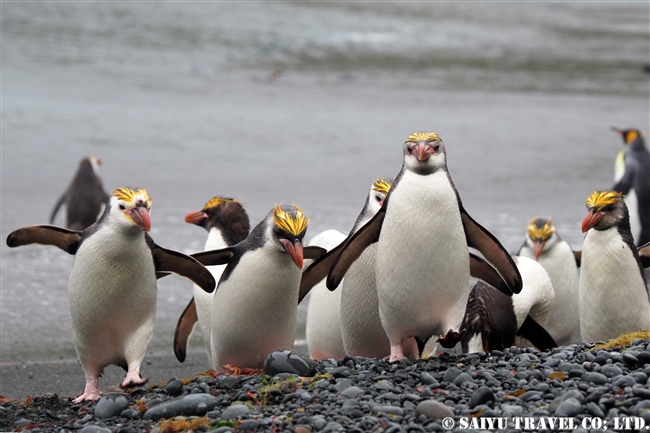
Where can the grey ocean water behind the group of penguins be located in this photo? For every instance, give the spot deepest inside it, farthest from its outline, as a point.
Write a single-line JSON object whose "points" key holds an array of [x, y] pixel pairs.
{"points": [[301, 102]]}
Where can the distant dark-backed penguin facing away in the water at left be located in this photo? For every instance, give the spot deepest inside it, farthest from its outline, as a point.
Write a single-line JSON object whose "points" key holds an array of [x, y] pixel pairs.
{"points": [[84, 197]]}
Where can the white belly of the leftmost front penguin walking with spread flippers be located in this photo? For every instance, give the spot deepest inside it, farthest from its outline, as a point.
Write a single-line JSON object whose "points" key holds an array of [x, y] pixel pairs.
{"points": [[112, 296]]}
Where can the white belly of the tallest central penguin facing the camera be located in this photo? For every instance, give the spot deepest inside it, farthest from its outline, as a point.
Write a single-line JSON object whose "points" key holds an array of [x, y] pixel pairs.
{"points": [[422, 264]]}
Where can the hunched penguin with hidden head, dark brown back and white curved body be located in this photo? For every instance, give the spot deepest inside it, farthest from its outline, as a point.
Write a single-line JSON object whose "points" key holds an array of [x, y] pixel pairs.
{"points": [[493, 320]]}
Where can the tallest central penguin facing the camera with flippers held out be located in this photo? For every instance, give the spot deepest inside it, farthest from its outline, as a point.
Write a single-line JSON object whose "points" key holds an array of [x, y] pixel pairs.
{"points": [[422, 265]]}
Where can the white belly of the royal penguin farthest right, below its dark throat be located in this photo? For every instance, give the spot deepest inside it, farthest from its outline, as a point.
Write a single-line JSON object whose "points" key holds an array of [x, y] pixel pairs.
{"points": [[613, 298]]}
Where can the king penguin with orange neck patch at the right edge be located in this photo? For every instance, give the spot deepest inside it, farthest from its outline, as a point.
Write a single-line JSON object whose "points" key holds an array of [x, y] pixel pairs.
{"points": [[636, 176]]}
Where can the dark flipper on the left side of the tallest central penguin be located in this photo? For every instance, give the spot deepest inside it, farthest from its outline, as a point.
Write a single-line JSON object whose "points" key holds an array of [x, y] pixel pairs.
{"points": [[354, 247]]}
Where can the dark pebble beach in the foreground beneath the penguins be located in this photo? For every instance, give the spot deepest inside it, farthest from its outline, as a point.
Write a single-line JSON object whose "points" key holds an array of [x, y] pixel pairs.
{"points": [[582, 386]]}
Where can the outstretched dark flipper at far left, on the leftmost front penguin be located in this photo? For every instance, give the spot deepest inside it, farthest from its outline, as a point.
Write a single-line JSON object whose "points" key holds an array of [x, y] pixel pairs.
{"points": [[67, 240]]}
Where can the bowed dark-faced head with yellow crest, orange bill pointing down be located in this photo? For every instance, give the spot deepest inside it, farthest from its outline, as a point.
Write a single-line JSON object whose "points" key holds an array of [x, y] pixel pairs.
{"points": [[287, 230]]}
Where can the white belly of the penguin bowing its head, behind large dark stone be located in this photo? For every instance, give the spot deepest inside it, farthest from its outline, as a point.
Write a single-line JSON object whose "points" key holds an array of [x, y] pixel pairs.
{"points": [[254, 311]]}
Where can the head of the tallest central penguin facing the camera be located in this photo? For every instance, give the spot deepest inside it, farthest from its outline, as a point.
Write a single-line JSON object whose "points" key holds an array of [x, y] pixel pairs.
{"points": [[424, 152]]}
